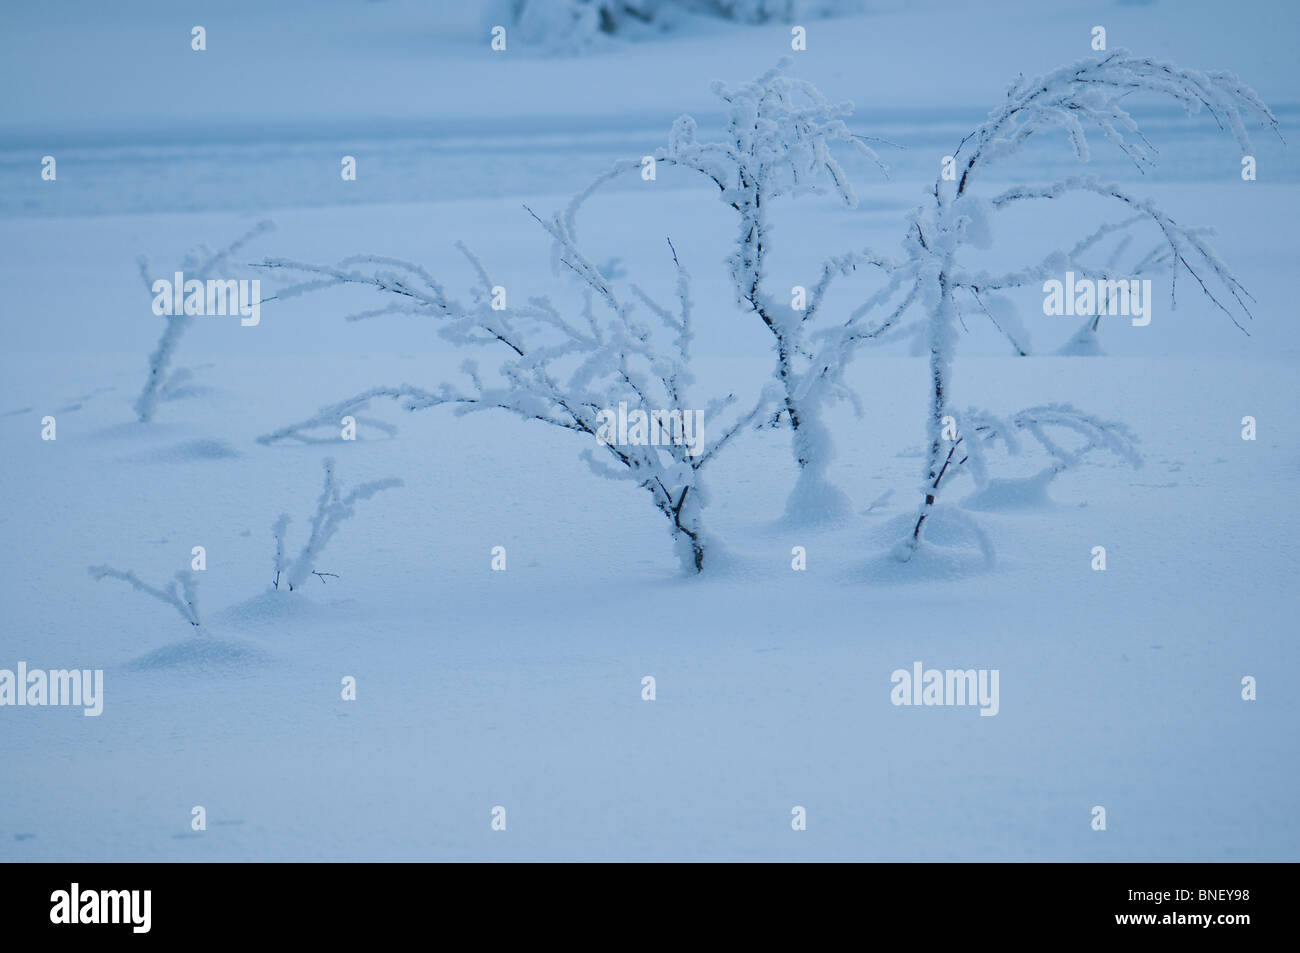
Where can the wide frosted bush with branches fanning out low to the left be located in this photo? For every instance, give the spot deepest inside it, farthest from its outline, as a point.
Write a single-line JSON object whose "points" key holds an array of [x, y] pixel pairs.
{"points": [[571, 374]]}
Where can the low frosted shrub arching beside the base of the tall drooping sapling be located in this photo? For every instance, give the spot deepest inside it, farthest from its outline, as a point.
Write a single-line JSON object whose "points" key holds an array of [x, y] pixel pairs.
{"points": [[1078, 436]]}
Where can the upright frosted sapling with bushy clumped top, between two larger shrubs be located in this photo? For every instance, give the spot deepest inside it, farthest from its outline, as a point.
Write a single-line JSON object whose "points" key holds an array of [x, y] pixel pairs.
{"points": [[779, 141]]}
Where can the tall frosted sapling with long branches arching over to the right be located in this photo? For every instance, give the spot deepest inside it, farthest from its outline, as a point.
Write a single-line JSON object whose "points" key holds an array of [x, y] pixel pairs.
{"points": [[1089, 93]]}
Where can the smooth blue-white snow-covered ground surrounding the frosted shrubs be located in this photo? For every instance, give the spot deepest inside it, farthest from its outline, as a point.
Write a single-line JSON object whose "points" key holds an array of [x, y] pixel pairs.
{"points": [[523, 688]]}
